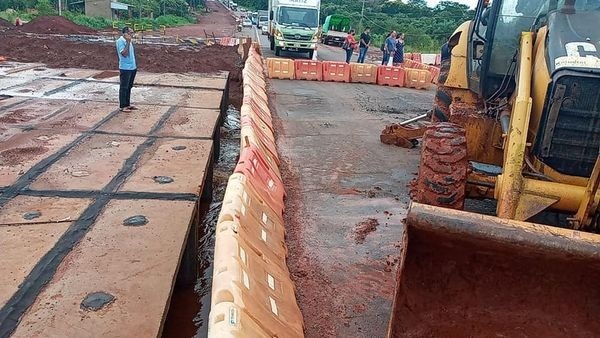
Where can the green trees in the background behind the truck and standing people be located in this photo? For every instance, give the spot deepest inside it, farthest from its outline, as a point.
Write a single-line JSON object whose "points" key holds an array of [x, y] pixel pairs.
{"points": [[426, 28]]}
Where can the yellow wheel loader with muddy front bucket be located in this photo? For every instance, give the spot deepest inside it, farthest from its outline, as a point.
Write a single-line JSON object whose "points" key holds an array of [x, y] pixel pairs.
{"points": [[500, 238]]}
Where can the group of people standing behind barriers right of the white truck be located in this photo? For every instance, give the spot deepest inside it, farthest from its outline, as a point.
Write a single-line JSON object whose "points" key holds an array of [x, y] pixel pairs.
{"points": [[392, 48]]}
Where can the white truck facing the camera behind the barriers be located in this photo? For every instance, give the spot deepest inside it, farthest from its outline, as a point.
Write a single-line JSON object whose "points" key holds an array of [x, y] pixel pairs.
{"points": [[294, 25]]}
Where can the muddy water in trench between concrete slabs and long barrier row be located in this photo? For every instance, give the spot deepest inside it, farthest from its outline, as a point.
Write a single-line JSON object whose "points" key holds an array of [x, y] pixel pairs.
{"points": [[188, 314]]}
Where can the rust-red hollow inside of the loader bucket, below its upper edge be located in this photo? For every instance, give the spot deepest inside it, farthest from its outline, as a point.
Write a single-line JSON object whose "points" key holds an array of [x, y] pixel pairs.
{"points": [[451, 287]]}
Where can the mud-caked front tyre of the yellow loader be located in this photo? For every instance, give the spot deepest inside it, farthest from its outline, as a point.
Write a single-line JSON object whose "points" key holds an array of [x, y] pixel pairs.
{"points": [[444, 167]]}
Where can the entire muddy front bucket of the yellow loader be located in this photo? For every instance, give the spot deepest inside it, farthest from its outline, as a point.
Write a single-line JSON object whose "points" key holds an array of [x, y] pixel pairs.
{"points": [[463, 274]]}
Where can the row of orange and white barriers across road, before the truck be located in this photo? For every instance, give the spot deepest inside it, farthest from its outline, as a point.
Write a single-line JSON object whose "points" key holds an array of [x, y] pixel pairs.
{"points": [[403, 76]]}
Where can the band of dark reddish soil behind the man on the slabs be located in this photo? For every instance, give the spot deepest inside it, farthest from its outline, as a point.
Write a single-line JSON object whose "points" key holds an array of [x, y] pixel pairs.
{"points": [[60, 53]]}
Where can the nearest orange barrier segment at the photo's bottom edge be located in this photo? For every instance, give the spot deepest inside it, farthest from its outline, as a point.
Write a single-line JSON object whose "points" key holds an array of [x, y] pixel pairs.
{"points": [[257, 285]]}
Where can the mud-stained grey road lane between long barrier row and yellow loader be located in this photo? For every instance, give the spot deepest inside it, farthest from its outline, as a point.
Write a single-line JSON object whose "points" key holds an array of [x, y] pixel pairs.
{"points": [[347, 196]]}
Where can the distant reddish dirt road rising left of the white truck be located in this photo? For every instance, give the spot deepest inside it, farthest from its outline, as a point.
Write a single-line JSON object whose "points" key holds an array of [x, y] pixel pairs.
{"points": [[219, 22]]}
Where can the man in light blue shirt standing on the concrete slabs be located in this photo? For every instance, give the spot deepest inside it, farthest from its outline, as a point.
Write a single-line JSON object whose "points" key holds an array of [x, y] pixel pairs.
{"points": [[127, 68]]}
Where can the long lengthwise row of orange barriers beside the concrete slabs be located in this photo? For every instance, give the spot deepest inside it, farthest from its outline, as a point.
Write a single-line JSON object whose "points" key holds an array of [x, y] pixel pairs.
{"points": [[252, 292]]}
